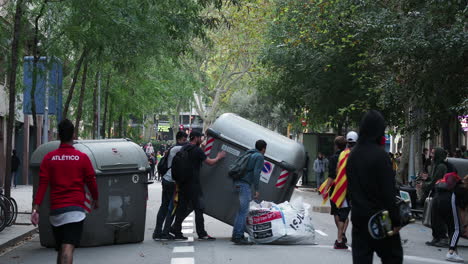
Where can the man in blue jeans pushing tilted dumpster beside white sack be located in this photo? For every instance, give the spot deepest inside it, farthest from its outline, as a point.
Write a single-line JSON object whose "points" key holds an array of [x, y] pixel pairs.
{"points": [[244, 189]]}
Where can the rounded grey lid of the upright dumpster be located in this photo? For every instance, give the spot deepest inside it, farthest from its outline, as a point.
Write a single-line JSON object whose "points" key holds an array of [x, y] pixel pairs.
{"points": [[108, 154]]}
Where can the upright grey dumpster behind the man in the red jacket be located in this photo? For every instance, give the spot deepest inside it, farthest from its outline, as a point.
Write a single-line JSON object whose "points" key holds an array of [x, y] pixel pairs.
{"points": [[121, 174]]}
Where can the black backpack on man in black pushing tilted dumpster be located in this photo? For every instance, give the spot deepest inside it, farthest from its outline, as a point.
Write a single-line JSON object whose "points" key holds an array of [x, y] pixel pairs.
{"points": [[181, 168]]}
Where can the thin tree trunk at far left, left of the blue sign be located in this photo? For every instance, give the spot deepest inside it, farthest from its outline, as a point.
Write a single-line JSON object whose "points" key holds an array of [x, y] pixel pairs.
{"points": [[15, 46]]}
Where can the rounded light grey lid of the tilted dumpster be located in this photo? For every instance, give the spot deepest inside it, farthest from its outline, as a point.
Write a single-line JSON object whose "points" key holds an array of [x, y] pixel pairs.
{"points": [[245, 133]]}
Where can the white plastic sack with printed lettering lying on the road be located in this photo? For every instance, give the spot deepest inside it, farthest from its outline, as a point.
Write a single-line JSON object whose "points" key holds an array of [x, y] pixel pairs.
{"points": [[285, 223]]}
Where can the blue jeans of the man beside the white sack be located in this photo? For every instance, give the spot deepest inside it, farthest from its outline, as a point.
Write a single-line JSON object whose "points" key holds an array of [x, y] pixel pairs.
{"points": [[245, 196]]}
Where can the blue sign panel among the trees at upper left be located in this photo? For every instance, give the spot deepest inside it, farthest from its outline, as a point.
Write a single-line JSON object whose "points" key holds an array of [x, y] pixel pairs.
{"points": [[53, 68]]}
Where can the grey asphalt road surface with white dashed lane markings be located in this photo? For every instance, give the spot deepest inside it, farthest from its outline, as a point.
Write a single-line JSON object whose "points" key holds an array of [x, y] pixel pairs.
{"points": [[223, 251]]}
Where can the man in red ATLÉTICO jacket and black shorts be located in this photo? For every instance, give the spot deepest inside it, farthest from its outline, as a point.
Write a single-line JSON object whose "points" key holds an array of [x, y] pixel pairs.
{"points": [[67, 171]]}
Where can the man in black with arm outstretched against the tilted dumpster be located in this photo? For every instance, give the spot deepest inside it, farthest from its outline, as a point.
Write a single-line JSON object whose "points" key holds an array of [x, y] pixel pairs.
{"points": [[190, 191]]}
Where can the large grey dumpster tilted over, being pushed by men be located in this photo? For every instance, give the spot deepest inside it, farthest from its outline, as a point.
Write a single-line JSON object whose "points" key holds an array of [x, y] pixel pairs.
{"points": [[284, 161]]}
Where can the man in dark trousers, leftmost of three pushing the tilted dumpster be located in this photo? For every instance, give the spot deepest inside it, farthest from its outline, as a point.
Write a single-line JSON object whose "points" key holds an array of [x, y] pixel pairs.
{"points": [[165, 215]]}
